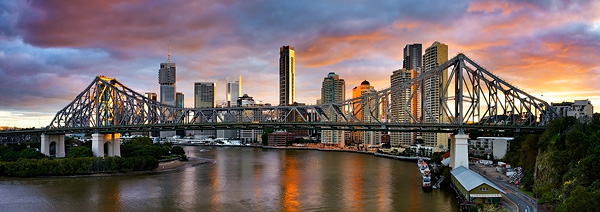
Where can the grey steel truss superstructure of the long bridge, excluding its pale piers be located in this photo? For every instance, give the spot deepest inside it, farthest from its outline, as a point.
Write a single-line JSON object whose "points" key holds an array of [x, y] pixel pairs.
{"points": [[472, 99]]}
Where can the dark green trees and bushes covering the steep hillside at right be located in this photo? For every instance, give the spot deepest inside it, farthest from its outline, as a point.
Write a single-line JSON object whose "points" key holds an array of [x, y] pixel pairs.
{"points": [[562, 166]]}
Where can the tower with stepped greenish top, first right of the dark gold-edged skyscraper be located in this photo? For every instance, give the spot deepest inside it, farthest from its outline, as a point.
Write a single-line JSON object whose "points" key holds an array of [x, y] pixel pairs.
{"points": [[332, 91]]}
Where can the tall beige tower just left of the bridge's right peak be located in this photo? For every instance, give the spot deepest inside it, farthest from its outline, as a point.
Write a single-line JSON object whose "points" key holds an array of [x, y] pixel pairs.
{"points": [[434, 56]]}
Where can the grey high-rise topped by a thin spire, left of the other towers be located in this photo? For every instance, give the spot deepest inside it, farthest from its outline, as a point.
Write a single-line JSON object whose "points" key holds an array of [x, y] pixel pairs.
{"points": [[167, 77]]}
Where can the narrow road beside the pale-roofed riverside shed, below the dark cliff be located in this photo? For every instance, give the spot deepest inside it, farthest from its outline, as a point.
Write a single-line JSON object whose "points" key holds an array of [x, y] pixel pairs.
{"points": [[523, 202]]}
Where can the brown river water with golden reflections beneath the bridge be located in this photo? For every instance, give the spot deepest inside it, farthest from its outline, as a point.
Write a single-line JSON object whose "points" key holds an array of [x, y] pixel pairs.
{"points": [[242, 179]]}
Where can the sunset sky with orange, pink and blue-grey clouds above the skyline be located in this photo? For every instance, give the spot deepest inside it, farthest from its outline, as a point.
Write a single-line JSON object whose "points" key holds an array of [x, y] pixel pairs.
{"points": [[51, 50]]}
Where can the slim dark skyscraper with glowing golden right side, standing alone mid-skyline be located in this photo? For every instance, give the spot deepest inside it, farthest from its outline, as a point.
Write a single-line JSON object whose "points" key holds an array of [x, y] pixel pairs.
{"points": [[287, 75]]}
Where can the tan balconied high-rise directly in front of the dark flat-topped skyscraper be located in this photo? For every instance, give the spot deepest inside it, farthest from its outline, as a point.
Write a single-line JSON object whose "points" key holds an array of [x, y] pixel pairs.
{"points": [[401, 107]]}
